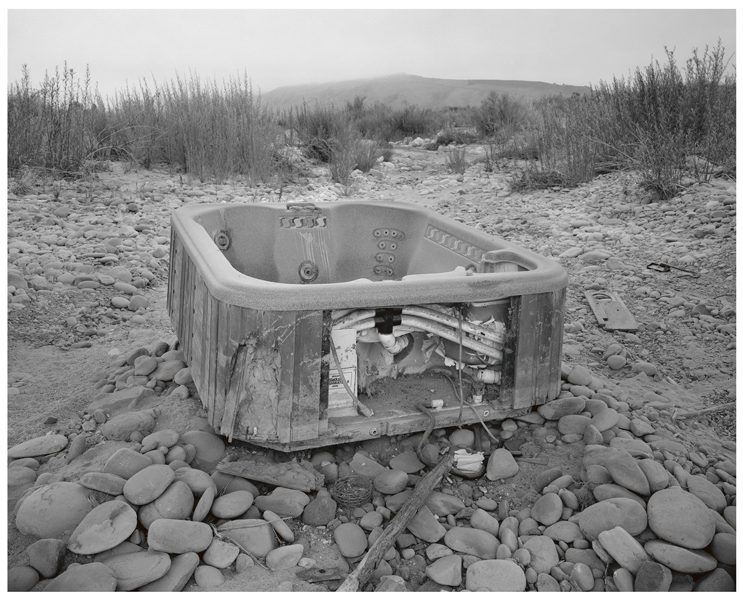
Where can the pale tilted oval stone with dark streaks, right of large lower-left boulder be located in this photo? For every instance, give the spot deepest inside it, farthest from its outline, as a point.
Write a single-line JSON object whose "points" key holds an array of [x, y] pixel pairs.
{"points": [[104, 527]]}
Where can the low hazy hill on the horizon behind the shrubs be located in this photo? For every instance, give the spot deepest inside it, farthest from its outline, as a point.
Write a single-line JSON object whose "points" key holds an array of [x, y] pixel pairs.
{"points": [[424, 92]]}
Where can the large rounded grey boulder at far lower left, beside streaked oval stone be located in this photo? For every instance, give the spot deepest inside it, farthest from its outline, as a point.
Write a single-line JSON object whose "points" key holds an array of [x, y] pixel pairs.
{"points": [[53, 510]]}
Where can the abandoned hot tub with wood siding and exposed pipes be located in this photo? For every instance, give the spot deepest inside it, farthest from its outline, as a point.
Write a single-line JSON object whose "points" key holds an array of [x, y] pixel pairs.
{"points": [[272, 304]]}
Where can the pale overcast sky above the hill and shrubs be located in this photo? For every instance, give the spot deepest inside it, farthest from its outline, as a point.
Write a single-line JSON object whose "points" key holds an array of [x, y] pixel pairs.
{"points": [[288, 47]]}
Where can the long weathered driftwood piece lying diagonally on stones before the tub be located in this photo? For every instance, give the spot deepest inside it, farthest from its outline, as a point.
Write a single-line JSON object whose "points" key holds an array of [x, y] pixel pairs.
{"points": [[361, 574]]}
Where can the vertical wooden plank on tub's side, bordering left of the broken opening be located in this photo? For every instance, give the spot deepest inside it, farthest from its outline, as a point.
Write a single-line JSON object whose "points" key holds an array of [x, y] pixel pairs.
{"points": [[305, 414]]}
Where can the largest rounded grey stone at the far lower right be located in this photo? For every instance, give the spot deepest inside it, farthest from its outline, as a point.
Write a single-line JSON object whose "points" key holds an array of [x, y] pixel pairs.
{"points": [[681, 518]]}
